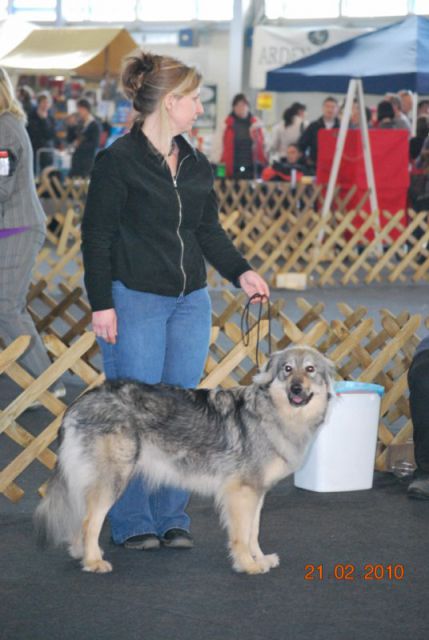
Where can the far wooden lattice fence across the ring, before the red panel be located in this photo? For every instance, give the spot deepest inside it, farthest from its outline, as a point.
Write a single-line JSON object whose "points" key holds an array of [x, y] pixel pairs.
{"points": [[278, 228]]}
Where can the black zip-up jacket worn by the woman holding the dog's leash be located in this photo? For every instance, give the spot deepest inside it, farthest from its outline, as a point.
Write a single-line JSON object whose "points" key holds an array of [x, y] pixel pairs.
{"points": [[141, 228]]}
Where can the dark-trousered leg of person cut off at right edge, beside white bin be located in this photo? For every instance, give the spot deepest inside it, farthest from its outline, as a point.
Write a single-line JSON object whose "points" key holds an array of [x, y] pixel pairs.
{"points": [[418, 382]]}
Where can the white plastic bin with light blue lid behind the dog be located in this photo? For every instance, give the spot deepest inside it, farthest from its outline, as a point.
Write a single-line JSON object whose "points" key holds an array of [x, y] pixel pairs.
{"points": [[342, 455]]}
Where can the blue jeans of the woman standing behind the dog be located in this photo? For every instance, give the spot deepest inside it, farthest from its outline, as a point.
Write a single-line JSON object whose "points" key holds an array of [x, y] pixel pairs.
{"points": [[160, 339]]}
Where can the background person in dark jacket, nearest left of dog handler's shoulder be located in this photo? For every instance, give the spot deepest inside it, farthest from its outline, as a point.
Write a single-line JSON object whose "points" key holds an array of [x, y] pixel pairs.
{"points": [[87, 142]]}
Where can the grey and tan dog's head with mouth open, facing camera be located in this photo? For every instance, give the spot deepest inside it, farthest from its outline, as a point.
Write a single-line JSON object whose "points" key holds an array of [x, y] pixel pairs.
{"points": [[302, 371]]}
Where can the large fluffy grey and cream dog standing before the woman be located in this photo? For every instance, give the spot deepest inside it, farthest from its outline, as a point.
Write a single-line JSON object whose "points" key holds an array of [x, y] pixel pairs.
{"points": [[234, 444]]}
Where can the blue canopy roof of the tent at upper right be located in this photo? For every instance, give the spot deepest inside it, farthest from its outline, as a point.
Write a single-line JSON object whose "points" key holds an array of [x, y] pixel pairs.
{"points": [[389, 59]]}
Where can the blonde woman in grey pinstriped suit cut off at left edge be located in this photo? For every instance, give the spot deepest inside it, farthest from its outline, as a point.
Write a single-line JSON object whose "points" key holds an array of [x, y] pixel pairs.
{"points": [[22, 230]]}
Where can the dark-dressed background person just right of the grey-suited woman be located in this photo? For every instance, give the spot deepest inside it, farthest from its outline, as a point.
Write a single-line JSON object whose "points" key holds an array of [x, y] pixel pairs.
{"points": [[41, 129]]}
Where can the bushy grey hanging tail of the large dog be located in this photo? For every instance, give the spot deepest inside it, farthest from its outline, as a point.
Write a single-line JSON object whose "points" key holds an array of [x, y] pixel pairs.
{"points": [[58, 518]]}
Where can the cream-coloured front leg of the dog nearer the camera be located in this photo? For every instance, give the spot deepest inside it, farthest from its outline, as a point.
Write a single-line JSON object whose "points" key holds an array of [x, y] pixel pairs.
{"points": [[240, 505]]}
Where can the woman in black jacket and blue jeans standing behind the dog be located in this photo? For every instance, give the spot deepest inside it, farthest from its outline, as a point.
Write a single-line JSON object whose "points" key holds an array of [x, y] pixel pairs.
{"points": [[150, 220]]}
